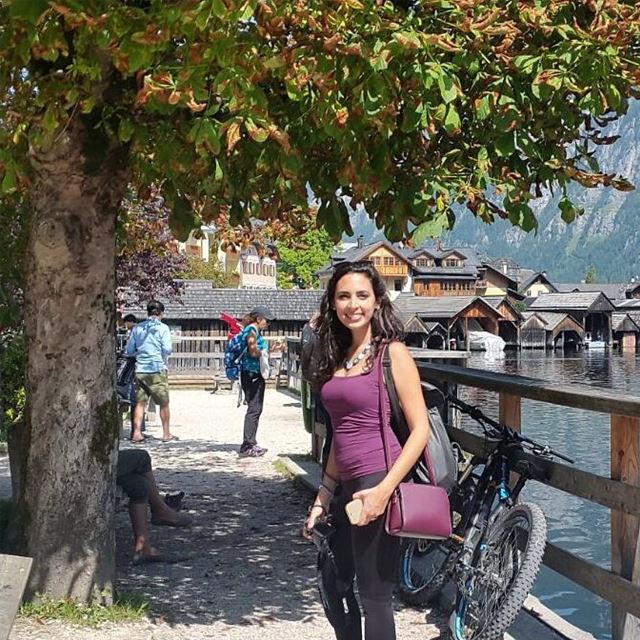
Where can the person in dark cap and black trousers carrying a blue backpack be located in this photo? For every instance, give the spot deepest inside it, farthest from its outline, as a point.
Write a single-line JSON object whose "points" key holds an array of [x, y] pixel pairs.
{"points": [[253, 384]]}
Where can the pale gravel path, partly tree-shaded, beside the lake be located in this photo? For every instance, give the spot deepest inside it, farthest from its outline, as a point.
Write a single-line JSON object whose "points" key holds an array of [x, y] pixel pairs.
{"points": [[245, 572]]}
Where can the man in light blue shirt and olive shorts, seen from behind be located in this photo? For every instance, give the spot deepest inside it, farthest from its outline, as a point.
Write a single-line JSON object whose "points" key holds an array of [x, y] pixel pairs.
{"points": [[150, 344]]}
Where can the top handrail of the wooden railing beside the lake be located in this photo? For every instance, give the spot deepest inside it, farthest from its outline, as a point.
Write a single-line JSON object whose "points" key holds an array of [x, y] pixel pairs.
{"points": [[568, 395]]}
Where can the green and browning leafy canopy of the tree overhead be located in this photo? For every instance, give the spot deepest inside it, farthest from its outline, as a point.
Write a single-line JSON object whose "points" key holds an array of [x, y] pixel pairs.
{"points": [[238, 106]]}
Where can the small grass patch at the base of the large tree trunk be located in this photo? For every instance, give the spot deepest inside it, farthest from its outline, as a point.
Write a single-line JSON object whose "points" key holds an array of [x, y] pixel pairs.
{"points": [[128, 607]]}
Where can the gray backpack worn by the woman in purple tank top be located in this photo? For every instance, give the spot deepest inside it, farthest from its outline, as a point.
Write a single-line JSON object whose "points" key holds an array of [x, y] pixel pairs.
{"points": [[439, 465]]}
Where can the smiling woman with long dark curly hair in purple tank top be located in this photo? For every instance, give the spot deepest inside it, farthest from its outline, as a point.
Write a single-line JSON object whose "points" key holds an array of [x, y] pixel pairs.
{"points": [[356, 324]]}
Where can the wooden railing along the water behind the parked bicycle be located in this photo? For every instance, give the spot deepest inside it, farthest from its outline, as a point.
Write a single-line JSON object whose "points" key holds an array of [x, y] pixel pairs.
{"points": [[620, 492]]}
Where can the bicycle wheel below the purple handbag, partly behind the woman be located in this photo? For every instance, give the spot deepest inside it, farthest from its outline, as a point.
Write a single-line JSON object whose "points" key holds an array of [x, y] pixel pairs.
{"points": [[424, 569]]}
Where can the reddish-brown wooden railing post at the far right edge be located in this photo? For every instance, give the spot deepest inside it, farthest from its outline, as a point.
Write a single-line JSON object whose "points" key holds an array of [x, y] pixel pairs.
{"points": [[625, 547]]}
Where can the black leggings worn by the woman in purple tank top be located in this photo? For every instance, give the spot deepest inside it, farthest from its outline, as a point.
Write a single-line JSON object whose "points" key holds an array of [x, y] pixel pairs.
{"points": [[374, 558]]}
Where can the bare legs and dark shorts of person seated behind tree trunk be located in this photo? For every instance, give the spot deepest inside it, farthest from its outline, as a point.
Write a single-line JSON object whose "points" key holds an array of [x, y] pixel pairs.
{"points": [[135, 476]]}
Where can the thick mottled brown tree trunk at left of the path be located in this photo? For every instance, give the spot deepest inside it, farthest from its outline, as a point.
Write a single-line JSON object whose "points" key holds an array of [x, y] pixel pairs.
{"points": [[67, 484]]}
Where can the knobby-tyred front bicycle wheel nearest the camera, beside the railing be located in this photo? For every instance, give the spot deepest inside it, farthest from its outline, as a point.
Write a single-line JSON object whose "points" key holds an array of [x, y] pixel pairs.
{"points": [[503, 575]]}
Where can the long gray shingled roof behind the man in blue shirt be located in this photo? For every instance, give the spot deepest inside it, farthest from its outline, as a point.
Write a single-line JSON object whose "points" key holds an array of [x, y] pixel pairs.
{"points": [[200, 300]]}
